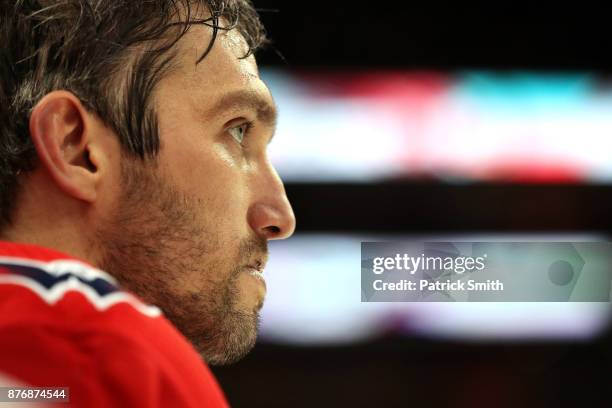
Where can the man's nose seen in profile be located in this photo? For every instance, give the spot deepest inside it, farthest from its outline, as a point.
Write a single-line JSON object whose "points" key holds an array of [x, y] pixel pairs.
{"points": [[271, 215]]}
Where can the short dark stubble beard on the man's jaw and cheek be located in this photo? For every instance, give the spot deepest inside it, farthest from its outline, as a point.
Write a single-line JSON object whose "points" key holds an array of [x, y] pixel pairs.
{"points": [[145, 249]]}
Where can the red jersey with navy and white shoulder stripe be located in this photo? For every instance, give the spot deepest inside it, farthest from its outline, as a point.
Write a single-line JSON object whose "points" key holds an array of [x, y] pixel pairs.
{"points": [[64, 323]]}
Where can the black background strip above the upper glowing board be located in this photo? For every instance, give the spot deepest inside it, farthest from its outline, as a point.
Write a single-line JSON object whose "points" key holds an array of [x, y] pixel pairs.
{"points": [[439, 35]]}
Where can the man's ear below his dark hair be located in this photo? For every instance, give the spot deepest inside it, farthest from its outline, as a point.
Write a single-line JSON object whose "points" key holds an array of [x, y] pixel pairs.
{"points": [[62, 136]]}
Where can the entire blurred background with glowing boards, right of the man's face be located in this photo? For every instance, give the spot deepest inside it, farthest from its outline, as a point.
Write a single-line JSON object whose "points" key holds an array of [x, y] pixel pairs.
{"points": [[432, 121]]}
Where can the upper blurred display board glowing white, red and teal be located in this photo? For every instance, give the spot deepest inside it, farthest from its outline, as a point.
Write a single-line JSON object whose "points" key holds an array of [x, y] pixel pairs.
{"points": [[458, 127]]}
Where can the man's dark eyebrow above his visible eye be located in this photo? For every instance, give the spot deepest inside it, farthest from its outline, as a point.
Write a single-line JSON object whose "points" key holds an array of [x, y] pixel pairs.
{"points": [[266, 112]]}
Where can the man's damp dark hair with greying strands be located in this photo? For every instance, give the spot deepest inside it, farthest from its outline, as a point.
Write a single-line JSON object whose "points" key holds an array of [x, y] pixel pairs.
{"points": [[109, 53]]}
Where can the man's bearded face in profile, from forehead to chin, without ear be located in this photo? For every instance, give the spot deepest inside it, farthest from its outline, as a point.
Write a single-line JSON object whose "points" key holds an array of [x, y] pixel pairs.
{"points": [[190, 232]]}
